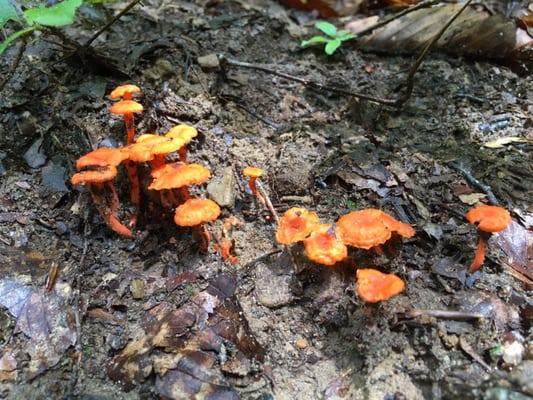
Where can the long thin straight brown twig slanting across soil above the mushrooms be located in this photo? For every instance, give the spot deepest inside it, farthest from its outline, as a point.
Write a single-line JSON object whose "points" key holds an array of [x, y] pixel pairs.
{"points": [[224, 62]]}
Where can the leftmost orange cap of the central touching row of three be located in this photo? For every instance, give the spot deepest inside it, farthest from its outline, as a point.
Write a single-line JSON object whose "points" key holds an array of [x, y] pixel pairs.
{"points": [[295, 225]]}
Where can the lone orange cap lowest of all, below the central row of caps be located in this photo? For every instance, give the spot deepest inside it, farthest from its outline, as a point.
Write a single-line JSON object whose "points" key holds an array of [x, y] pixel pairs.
{"points": [[374, 286]]}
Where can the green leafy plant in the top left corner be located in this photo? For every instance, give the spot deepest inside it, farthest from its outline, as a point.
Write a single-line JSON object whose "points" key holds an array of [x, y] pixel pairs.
{"points": [[31, 19]]}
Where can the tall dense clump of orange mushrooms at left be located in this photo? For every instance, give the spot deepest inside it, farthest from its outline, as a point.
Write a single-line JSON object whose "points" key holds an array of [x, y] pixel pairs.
{"points": [[98, 168]]}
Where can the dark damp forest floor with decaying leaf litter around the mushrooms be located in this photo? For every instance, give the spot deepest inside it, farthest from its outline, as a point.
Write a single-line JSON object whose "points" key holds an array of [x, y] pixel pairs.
{"points": [[153, 317]]}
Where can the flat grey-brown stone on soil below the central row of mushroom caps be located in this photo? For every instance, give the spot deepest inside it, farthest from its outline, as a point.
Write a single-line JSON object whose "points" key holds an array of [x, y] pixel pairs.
{"points": [[272, 290]]}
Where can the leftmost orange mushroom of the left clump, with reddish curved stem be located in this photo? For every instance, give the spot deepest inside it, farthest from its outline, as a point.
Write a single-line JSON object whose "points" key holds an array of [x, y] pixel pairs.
{"points": [[96, 179]]}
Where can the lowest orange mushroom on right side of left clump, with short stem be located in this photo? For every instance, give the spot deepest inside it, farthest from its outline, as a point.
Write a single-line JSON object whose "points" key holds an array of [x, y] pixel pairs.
{"points": [[195, 213]]}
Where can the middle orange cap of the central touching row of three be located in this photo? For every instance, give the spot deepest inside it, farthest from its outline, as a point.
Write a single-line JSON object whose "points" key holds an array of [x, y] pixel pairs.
{"points": [[323, 247]]}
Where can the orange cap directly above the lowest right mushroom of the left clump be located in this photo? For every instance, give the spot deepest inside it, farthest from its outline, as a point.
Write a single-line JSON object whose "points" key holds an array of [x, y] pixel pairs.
{"points": [[176, 175]]}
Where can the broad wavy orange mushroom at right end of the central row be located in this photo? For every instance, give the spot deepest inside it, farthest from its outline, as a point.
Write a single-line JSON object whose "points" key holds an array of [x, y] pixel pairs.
{"points": [[369, 228]]}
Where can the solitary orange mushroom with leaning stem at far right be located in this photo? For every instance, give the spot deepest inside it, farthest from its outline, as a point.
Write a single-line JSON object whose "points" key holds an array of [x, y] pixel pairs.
{"points": [[489, 219]]}
